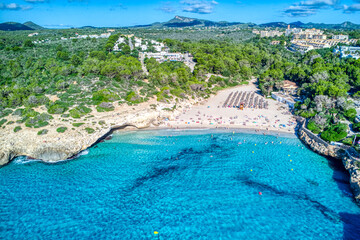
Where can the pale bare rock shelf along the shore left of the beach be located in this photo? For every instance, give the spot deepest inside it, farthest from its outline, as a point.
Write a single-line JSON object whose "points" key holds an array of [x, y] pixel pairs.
{"points": [[55, 146]]}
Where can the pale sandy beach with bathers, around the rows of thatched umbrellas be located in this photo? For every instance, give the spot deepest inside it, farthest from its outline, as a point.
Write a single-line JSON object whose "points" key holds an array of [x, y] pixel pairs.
{"points": [[211, 114]]}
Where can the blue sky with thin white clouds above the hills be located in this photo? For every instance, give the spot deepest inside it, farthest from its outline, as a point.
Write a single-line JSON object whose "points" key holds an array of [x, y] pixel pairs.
{"points": [[116, 13]]}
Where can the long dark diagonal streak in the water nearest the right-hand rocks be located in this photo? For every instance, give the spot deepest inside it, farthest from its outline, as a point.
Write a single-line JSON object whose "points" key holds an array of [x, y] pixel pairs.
{"points": [[327, 212]]}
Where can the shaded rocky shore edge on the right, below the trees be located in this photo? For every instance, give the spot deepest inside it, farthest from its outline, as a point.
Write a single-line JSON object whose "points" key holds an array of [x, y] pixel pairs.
{"points": [[351, 164]]}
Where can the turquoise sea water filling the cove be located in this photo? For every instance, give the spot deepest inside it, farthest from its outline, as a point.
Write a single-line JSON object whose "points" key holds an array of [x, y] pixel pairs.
{"points": [[184, 185]]}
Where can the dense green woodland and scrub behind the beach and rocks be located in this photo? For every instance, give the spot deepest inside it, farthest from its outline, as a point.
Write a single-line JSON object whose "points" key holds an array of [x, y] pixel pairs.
{"points": [[85, 72]]}
